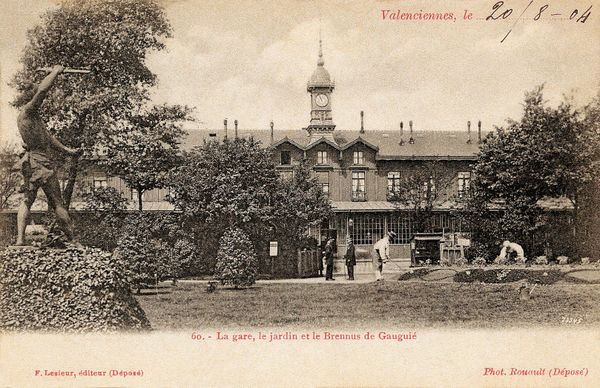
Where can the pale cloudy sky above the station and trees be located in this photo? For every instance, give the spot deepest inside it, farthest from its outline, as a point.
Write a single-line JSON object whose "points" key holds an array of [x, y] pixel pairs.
{"points": [[250, 61]]}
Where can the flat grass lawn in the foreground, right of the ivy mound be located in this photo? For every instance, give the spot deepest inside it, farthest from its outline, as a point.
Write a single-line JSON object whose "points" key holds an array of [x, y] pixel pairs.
{"points": [[391, 303]]}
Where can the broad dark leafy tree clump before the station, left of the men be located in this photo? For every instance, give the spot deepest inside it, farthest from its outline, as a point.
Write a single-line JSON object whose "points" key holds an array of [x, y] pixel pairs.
{"points": [[234, 183]]}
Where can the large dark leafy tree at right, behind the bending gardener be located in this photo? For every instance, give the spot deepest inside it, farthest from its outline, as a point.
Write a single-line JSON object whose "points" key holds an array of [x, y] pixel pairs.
{"points": [[549, 153]]}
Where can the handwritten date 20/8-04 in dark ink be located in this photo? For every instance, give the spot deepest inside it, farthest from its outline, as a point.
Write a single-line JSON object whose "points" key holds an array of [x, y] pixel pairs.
{"points": [[502, 11]]}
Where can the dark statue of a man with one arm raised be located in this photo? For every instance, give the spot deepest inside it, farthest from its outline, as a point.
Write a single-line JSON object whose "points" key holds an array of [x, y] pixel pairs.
{"points": [[38, 165]]}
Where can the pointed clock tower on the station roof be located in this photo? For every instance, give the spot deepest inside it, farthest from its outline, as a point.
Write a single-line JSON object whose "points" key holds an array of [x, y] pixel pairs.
{"points": [[320, 86]]}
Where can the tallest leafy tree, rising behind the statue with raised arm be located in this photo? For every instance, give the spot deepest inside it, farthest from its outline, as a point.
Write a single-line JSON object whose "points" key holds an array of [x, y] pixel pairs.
{"points": [[110, 37]]}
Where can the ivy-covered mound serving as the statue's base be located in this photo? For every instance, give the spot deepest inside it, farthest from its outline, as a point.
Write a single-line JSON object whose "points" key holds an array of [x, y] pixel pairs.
{"points": [[73, 290]]}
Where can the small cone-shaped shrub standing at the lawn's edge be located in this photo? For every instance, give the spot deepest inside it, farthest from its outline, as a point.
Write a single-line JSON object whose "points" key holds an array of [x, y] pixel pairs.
{"points": [[237, 264]]}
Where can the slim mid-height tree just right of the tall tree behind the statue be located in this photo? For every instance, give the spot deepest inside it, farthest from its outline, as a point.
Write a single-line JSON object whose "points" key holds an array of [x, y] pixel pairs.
{"points": [[143, 154]]}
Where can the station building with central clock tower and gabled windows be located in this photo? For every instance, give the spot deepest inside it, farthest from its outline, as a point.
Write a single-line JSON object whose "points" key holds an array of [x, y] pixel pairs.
{"points": [[361, 169]]}
